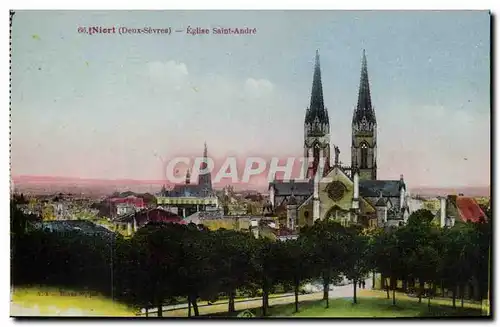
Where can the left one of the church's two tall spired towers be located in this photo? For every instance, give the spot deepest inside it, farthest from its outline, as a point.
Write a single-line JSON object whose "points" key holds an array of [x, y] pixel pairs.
{"points": [[316, 127]]}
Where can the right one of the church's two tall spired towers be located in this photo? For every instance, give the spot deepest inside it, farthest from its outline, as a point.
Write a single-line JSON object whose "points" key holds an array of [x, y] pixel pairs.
{"points": [[364, 130]]}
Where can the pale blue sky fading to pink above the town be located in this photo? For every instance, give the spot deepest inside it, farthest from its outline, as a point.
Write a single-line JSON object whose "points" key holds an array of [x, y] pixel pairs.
{"points": [[112, 106]]}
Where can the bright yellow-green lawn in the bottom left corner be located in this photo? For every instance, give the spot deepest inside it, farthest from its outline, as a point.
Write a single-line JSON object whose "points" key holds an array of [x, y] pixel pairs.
{"points": [[43, 301]]}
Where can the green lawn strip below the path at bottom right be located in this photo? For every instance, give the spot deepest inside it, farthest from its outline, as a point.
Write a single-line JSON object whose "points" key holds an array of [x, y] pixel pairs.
{"points": [[366, 308]]}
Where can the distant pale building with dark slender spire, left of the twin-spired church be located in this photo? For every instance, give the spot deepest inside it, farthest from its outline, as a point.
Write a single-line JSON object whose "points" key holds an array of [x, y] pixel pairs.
{"points": [[187, 198]]}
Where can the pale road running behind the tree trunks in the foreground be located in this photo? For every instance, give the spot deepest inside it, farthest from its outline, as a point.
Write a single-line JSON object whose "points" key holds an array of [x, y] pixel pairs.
{"points": [[180, 310]]}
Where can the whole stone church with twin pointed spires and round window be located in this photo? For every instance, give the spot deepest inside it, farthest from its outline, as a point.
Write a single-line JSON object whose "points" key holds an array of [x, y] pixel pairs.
{"points": [[348, 194]]}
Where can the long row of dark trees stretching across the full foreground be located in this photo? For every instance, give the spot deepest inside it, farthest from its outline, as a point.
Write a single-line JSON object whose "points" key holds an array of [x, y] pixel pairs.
{"points": [[163, 262]]}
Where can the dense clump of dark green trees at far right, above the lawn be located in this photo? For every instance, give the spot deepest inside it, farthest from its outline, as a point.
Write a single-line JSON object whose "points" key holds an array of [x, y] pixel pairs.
{"points": [[453, 259]]}
